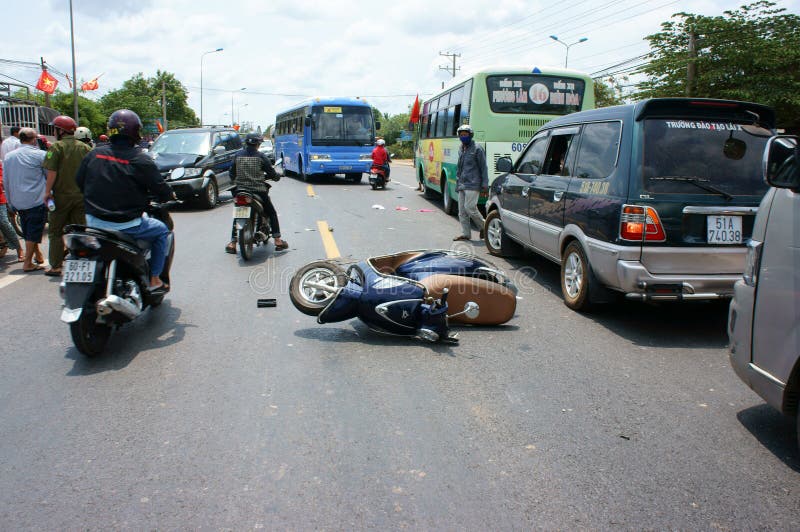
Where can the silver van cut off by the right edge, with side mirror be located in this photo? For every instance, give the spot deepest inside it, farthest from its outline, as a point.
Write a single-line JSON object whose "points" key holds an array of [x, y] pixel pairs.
{"points": [[764, 317]]}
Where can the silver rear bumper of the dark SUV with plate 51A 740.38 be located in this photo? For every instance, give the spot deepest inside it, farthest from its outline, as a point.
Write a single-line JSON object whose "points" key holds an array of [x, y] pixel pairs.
{"points": [[638, 283]]}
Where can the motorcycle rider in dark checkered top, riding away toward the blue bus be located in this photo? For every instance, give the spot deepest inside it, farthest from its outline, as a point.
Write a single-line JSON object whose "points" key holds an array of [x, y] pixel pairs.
{"points": [[247, 174]]}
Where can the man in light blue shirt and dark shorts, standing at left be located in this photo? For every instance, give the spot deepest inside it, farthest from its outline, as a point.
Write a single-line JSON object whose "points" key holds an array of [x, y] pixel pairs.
{"points": [[25, 186]]}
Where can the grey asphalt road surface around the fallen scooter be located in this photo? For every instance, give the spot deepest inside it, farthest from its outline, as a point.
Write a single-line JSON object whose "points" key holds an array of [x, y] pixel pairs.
{"points": [[211, 413]]}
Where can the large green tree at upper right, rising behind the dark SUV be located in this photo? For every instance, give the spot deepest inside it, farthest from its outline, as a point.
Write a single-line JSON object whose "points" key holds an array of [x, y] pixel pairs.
{"points": [[750, 54]]}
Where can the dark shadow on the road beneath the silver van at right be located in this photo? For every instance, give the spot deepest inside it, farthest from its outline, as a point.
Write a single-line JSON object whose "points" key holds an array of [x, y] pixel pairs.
{"points": [[776, 432]]}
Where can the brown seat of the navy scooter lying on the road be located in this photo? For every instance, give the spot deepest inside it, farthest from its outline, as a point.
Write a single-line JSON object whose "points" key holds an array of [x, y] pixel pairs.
{"points": [[497, 302]]}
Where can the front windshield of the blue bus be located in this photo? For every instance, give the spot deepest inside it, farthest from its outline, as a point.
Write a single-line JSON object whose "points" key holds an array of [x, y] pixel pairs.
{"points": [[341, 125]]}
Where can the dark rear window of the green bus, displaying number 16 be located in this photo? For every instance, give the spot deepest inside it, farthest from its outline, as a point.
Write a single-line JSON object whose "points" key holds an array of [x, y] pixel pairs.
{"points": [[535, 94]]}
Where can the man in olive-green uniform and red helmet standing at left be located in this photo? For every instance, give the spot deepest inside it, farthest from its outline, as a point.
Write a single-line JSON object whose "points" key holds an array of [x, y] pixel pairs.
{"points": [[62, 162]]}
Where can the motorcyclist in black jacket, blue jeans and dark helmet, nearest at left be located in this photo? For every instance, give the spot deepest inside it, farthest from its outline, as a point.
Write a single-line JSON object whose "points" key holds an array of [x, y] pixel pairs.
{"points": [[116, 180]]}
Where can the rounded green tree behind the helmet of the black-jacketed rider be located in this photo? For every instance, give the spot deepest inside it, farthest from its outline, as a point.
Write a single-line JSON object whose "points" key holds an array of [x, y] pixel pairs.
{"points": [[144, 96]]}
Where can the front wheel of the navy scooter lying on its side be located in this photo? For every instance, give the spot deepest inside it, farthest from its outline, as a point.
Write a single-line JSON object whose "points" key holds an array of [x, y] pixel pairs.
{"points": [[315, 285]]}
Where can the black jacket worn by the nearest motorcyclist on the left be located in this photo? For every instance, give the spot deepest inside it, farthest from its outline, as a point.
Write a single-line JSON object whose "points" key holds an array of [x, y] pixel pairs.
{"points": [[117, 181]]}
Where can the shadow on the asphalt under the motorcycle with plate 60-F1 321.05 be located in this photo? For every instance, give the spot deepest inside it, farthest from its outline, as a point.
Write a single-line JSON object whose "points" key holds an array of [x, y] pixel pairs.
{"points": [[156, 329]]}
